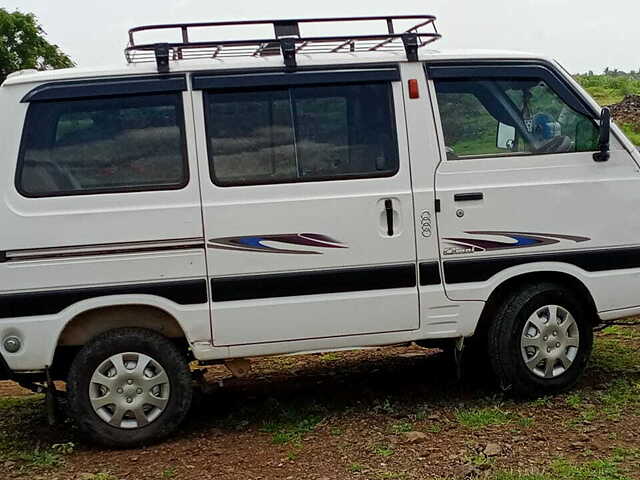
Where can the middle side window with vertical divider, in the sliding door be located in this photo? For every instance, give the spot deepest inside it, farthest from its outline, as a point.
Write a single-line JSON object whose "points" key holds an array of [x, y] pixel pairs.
{"points": [[301, 134]]}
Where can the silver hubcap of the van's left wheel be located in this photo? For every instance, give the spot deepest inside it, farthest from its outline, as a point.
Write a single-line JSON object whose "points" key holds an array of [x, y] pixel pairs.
{"points": [[129, 390]]}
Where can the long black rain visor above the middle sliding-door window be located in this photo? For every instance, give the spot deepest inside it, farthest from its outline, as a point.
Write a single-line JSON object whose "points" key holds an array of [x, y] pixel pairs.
{"points": [[209, 81]]}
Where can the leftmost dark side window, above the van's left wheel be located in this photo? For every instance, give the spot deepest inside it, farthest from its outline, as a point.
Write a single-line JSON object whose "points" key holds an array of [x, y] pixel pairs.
{"points": [[104, 145]]}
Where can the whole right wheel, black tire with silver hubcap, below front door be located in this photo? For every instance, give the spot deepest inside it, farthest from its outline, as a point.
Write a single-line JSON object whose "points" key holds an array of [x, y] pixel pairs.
{"points": [[509, 343]]}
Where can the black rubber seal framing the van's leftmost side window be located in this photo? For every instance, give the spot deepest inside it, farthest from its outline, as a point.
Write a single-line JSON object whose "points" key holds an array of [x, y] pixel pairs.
{"points": [[180, 115]]}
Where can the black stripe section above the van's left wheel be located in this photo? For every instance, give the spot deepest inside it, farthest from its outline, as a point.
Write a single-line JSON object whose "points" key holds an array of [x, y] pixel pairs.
{"points": [[182, 292]]}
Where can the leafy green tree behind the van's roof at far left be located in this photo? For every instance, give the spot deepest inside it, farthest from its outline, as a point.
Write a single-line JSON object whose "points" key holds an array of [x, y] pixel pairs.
{"points": [[23, 45]]}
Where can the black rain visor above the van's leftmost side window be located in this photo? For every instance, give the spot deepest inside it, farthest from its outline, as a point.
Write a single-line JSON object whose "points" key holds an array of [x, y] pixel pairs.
{"points": [[106, 87]]}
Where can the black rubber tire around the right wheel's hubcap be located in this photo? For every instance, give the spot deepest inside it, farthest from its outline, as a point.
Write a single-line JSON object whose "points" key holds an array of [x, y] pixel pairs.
{"points": [[505, 340]]}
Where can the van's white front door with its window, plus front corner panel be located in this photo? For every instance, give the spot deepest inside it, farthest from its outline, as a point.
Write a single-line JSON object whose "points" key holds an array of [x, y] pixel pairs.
{"points": [[519, 179]]}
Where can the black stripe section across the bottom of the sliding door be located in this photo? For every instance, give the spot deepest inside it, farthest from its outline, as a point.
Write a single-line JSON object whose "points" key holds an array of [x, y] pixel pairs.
{"points": [[313, 282]]}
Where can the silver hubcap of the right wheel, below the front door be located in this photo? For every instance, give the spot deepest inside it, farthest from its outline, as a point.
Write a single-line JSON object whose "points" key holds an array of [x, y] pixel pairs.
{"points": [[550, 341]]}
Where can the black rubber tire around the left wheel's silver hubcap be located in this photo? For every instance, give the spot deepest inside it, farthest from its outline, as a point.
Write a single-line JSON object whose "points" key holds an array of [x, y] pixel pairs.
{"points": [[123, 340]]}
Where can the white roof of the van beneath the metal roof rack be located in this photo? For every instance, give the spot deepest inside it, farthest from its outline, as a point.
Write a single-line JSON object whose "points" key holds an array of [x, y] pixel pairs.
{"points": [[251, 63]]}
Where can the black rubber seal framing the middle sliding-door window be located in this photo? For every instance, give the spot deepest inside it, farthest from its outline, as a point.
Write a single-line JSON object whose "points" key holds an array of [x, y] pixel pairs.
{"points": [[218, 183]]}
